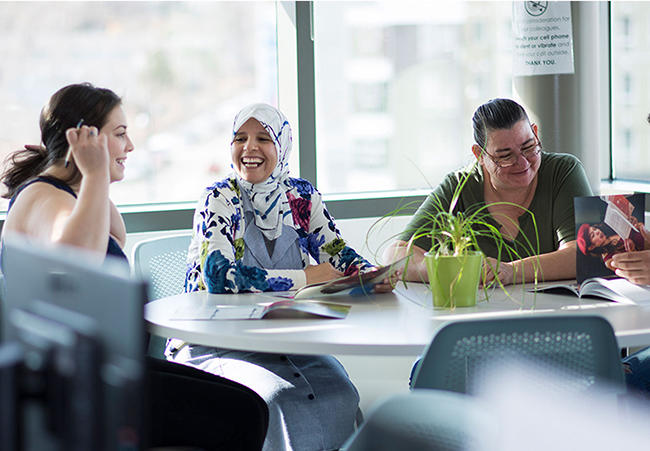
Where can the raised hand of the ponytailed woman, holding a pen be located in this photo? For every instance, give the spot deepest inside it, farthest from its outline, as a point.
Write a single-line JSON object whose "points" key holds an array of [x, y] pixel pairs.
{"points": [[90, 150]]}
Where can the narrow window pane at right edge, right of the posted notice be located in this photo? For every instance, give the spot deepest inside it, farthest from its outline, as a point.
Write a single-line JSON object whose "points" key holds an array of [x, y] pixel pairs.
{"points": [[630, 47]]}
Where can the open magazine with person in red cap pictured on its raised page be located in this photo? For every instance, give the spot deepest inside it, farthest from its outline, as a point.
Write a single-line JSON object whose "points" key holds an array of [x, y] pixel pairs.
{"points": [[605, 226]]}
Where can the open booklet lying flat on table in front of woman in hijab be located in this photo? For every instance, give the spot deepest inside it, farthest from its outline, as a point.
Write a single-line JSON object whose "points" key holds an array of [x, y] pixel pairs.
{"points": [[285, 309]]}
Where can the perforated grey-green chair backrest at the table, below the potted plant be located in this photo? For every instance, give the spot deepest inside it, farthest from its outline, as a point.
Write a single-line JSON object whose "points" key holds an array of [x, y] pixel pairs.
{"points": [[580, 349]]}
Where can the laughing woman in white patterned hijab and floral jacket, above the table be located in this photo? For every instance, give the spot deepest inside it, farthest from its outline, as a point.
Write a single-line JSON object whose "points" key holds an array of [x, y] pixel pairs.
{"points": [[256, 230]]}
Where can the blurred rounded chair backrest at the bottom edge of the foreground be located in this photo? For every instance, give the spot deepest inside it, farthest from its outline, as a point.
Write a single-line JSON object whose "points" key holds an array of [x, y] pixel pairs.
{"points": [[424, 420]]}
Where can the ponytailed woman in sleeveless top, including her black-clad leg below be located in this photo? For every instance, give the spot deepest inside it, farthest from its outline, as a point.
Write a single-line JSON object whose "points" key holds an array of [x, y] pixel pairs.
{"points": [[59, 194]]}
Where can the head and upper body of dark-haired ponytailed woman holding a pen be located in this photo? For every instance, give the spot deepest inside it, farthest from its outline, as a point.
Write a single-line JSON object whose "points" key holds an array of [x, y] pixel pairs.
{"points": [[71, 205]]}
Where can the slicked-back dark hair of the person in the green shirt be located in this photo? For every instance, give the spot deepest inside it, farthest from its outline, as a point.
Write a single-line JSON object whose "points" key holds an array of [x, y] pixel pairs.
{"points": [[496, 114]]}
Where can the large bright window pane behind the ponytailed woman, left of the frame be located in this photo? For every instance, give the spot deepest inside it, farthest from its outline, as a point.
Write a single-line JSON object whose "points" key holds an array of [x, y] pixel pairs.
{"points": [[184, 69]]}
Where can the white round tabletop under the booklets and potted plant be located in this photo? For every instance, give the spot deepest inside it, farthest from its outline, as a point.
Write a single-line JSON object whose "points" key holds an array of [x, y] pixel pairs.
{"points": [[398, 323]]}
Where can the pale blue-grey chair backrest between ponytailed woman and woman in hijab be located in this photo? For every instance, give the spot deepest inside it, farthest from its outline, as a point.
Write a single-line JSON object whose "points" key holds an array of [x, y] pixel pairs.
{"points": [[164, 261]]}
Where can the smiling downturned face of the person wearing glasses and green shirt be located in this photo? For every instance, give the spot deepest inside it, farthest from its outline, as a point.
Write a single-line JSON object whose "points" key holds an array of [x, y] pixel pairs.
{"points": [[511, 141]]}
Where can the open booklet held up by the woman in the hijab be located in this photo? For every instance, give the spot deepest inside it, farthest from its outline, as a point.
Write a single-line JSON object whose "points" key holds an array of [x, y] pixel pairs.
{"points": [[352, 285]]}
